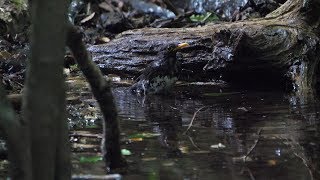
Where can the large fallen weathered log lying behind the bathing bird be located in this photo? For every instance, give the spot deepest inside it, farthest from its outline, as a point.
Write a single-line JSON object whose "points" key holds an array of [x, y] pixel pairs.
{"points": [[280, 49]]}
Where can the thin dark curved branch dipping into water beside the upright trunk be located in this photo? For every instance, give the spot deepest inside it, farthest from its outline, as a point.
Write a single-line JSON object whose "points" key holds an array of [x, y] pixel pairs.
{"points": [[101, 89]]}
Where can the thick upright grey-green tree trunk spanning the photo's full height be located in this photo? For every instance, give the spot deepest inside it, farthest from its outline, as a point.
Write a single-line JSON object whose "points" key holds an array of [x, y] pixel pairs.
{"points": [[44, 96]]}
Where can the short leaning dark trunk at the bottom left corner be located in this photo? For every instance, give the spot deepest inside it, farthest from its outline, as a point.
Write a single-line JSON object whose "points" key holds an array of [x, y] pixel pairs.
{"points": [[16, 134]]}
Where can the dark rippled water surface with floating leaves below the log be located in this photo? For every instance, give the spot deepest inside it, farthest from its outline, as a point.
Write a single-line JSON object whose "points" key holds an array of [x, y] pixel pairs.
{"points": [[234, 135]]}
